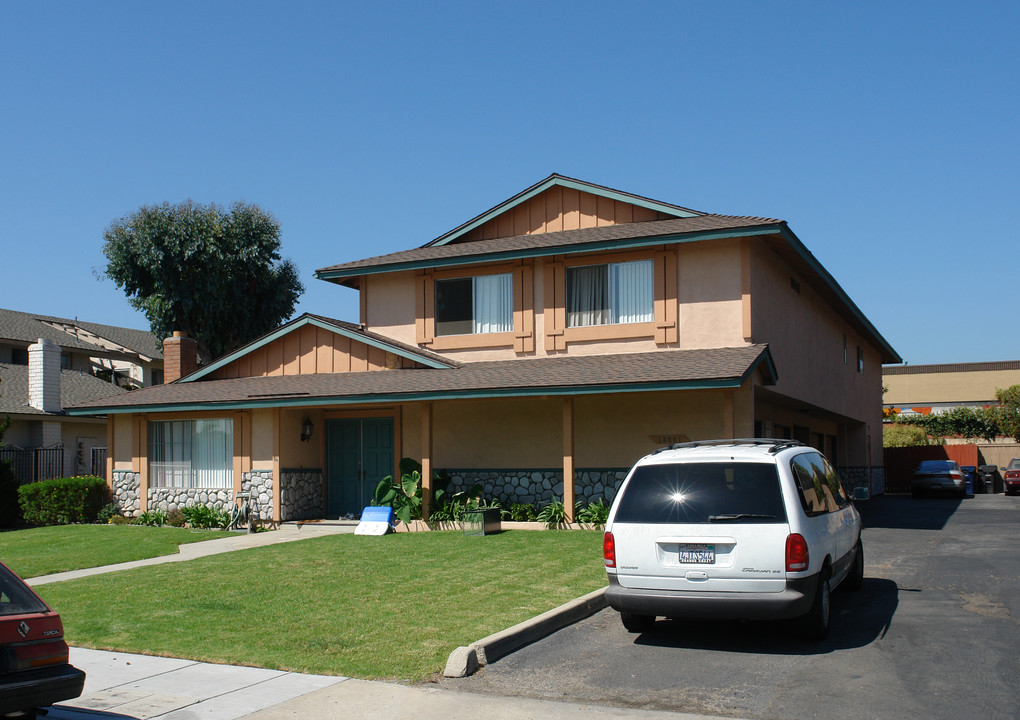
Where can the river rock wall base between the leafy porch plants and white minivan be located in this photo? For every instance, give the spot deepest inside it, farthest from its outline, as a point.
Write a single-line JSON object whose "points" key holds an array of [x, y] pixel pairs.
{"points": [[539, 487]]}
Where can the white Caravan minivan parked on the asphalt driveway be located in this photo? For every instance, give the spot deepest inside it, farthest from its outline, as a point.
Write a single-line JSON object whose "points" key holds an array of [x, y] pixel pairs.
{"points": [[732, 529]]}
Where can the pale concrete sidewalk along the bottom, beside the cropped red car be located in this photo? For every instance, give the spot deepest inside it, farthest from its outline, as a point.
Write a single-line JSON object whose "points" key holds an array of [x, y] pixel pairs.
{"points": [[121, 686]]}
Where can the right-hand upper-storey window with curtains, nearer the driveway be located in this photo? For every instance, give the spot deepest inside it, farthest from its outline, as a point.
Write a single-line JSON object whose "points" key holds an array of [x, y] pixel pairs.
{"points": [[609, 294]]}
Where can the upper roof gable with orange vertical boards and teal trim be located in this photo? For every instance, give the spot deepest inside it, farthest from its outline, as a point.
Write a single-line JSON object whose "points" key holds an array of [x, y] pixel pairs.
{"points": [[560, 203]]}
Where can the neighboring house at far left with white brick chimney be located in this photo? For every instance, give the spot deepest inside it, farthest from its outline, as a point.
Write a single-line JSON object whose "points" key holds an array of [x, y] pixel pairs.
{"points": [[48, 364]]}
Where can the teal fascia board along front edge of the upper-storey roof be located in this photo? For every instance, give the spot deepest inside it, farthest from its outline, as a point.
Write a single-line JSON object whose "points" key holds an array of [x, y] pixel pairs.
{"points": [[596, 246]]}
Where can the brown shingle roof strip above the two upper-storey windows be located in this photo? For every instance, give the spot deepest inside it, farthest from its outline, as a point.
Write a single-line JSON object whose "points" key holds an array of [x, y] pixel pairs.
{"points": [[569, 241]]}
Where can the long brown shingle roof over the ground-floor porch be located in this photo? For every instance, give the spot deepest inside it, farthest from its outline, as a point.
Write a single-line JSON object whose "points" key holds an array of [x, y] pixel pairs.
{"points": [[625, 373]]}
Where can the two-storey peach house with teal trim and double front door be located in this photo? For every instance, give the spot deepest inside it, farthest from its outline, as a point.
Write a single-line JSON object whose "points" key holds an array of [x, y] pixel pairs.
{"points": [[563, 334]]}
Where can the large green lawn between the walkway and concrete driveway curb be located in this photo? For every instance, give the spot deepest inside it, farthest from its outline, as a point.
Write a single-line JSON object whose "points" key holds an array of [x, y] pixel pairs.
{"points": [[386, 608]]}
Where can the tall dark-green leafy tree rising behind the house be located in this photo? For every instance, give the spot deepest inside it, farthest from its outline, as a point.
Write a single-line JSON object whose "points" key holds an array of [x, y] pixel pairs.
{"points": [[216, 275]]}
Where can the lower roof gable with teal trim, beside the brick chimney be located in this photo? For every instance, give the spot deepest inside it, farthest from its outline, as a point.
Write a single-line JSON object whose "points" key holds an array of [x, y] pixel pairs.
{"points": [[313, 344]]}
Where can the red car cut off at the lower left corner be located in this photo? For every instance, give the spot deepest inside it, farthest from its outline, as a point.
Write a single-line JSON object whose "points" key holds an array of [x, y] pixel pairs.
{"points": [[35, 672]]}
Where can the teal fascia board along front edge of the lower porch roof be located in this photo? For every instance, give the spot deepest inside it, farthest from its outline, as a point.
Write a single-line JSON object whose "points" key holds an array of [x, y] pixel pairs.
{"points": [[383, 399]]}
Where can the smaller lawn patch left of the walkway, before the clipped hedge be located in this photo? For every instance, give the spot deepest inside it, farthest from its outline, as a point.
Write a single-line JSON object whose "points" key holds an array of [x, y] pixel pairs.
{"points": [[43, 551]]}
